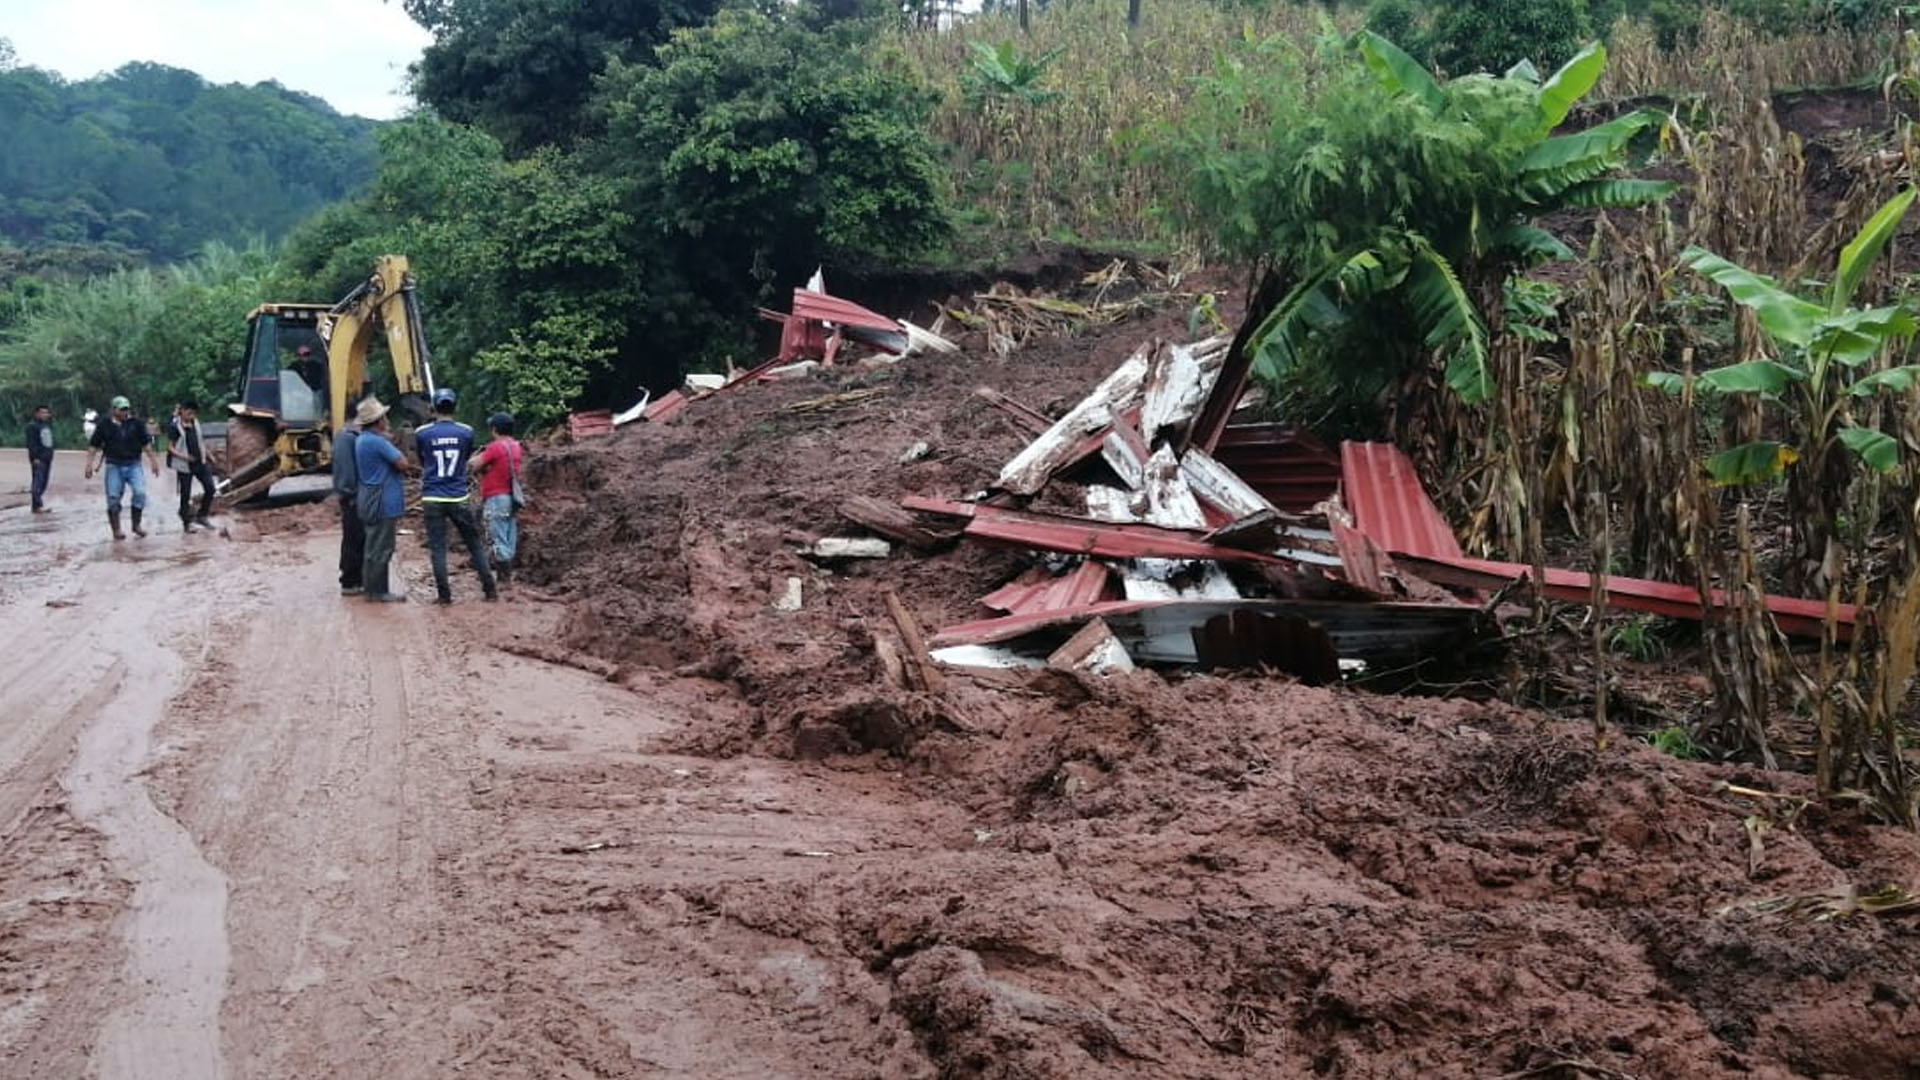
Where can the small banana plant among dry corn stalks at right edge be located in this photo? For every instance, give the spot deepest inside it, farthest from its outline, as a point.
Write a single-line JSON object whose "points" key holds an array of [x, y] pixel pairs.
{"points": [[1821, 364]]}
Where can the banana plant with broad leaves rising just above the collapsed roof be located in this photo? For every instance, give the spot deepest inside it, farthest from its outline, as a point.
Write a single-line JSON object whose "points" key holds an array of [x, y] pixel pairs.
{"points": [[1441, 276]]}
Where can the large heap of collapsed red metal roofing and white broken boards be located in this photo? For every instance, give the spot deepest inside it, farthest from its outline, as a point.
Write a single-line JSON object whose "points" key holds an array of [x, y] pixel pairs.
{"points": [[1216, 545]]}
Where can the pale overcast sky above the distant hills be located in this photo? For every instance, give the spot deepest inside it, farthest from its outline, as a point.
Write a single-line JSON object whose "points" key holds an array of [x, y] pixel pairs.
{"points": [[350, 53]]}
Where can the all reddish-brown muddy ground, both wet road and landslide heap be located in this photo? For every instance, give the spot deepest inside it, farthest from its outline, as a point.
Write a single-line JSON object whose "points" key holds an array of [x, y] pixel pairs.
{"points": [[635, 822]]}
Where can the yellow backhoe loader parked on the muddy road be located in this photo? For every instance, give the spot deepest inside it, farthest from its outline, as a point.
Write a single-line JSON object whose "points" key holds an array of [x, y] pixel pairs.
{"points": [[306, 368]]}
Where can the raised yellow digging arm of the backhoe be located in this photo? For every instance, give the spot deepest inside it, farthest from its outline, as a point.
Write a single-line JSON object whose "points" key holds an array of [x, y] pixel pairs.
{"points": [[383, 305]]}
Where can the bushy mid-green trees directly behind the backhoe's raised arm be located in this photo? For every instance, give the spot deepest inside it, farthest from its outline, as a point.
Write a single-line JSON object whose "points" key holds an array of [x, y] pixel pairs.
{"points": [[525, 287]]}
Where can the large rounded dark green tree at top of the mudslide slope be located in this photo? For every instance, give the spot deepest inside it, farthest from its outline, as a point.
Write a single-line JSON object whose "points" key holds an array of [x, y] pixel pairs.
{"points": [[750, 155]]}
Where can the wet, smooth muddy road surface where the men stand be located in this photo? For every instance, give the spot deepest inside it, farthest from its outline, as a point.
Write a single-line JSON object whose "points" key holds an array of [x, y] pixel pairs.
{"points": [[254, 829]]}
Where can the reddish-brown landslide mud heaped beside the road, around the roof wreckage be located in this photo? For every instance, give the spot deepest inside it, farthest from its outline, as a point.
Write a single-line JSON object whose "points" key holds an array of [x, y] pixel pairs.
{"points": [[1195, 875]]}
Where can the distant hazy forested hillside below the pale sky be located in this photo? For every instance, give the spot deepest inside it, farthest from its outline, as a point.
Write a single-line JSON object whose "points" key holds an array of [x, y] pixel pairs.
{"points": [[151, 162]]}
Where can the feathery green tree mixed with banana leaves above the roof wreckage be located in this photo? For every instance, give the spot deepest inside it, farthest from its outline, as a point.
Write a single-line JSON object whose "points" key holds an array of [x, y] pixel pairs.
{"points": [[1389, 210]]}
